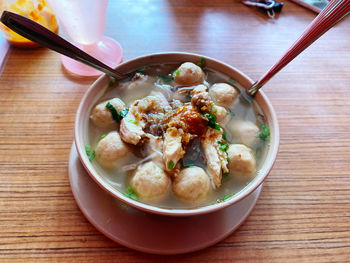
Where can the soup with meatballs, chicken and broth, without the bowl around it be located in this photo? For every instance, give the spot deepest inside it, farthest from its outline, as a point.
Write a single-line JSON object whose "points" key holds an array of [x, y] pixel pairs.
{"points": [[177, 136]]}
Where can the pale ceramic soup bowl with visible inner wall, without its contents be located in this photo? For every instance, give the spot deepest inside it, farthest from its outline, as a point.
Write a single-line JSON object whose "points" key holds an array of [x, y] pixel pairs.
{"points": [[97, 89]]}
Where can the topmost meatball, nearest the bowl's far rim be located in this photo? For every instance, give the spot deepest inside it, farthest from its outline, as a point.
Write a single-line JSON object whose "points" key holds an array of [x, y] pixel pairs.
{"points": [[189, 74]]}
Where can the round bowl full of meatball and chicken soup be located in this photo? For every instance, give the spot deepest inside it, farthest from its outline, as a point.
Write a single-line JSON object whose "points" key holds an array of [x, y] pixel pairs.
{"points": [[174, 137]]}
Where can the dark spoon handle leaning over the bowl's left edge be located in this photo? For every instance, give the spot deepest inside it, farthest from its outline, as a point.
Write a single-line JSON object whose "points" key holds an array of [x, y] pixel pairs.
{"points": [[41, 35]]}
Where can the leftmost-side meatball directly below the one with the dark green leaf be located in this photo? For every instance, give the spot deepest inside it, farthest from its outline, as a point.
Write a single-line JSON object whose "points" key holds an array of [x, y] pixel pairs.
{"points": [[110, 149]]}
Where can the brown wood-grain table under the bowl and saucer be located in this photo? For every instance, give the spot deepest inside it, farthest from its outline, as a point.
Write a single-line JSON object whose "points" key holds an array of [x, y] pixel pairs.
{"points": [[303, 214]]}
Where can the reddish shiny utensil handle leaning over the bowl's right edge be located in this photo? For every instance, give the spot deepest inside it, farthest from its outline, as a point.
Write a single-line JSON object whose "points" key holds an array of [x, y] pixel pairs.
{"points": [[334, 12]]}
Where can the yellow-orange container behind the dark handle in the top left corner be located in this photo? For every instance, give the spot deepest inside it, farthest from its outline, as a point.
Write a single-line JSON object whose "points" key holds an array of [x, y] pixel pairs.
{"points": [[36, 10]]}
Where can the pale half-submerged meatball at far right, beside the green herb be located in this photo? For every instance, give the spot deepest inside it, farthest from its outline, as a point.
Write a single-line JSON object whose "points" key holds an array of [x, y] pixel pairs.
{"points": [[245, 132]]}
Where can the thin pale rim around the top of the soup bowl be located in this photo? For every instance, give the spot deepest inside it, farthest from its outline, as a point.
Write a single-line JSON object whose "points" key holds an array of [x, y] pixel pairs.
{"points": [[258, 180]]}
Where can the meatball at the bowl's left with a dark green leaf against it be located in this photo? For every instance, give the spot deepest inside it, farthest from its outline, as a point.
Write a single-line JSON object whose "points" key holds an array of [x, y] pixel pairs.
{"points": [[102, 117]]}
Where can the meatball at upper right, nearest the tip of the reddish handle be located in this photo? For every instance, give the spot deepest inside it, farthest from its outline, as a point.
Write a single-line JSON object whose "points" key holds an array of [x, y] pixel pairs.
{"points": [[224, 94]]}
